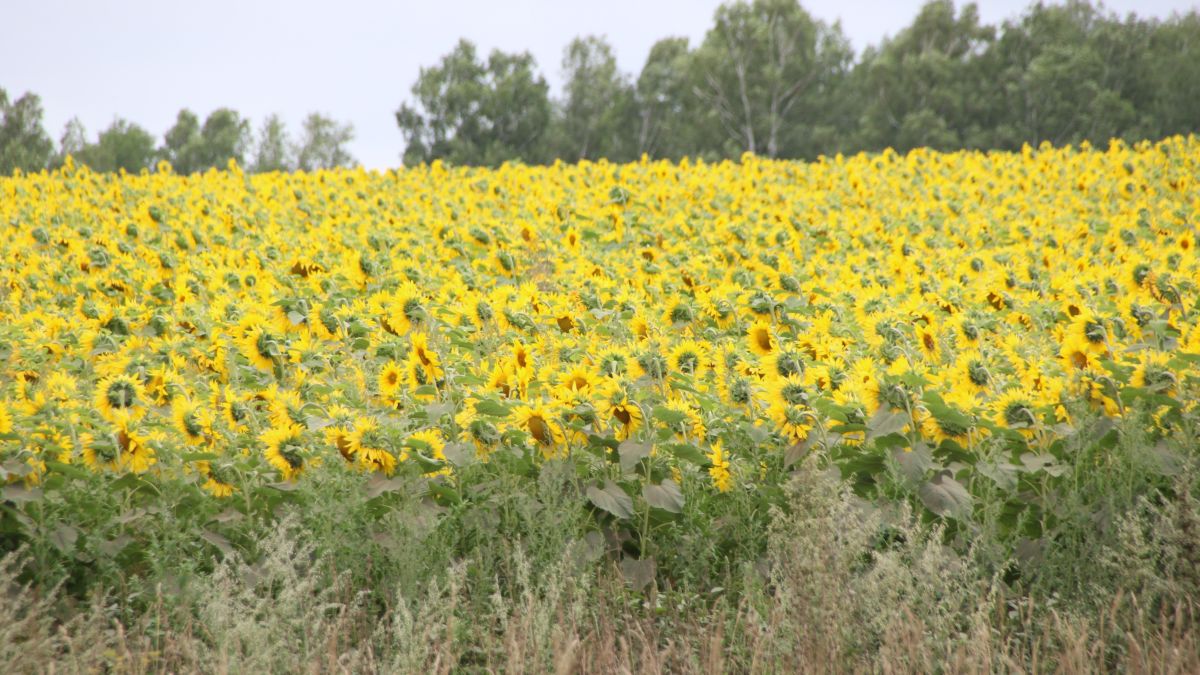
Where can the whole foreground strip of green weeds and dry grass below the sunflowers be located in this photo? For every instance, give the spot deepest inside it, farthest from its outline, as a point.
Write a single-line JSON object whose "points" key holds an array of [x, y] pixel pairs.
{"points": [[519, 580]]}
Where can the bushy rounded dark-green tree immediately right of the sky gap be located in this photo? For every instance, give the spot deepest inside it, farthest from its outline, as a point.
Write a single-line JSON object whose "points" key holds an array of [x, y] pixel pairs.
{"points": [[473, 114]]}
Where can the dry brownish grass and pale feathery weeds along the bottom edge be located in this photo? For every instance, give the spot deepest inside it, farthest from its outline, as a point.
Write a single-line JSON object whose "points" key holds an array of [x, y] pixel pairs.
{"points": [[833, 600]]}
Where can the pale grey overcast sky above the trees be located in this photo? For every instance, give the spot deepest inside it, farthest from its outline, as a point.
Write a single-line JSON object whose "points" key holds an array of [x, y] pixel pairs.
{"points": [[355, 61]]}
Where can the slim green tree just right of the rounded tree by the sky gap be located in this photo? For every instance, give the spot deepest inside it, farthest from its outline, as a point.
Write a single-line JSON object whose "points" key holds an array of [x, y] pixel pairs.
{"points": [[598, 114]]}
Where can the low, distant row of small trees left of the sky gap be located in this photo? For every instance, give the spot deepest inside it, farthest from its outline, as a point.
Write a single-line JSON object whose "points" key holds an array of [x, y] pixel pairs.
{"points": [[190, 146]]}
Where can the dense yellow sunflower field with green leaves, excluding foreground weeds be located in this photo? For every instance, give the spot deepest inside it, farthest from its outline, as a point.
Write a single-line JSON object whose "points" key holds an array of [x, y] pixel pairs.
{"points": [[962, 333]]}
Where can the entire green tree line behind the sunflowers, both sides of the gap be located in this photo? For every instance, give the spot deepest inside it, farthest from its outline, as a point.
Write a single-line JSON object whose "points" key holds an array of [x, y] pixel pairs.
{"points": [[767, 79]]}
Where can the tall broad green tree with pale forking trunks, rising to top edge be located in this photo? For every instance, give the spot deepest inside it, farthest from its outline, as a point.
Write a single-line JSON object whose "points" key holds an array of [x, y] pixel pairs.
{"points": [[770, 71]]}
